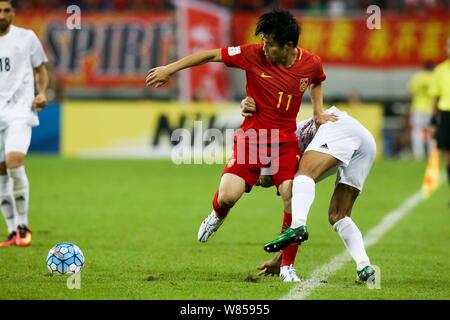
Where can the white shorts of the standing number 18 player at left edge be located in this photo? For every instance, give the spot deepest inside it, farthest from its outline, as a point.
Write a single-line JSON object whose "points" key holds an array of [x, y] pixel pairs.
{"points": [[15, 138]]}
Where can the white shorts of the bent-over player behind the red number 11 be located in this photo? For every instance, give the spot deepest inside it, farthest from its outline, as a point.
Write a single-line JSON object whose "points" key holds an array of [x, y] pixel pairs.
{"points": [[352, 144]]}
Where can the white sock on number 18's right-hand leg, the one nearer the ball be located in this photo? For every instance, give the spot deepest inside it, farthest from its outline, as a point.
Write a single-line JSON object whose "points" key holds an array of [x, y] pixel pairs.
{"points": [[21, 193]]}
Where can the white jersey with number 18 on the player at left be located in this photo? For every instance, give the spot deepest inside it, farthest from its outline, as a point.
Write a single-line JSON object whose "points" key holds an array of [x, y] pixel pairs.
{"points": [[20, 52]]}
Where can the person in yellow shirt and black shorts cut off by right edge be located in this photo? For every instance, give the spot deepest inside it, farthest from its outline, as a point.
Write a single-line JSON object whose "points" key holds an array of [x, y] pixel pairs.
{"points": [[440, 91]]}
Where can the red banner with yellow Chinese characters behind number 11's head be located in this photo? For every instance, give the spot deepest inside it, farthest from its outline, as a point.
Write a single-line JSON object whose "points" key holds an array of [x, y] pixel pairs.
{"points": [[401, 42]]}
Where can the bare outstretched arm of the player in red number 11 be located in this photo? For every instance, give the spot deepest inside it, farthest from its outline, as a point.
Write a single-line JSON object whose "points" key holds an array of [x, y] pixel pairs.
{"points": [[160, 75]]}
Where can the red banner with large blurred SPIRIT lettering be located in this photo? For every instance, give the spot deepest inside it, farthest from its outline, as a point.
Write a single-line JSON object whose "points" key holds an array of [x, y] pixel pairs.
{"points": [[108, 50]]}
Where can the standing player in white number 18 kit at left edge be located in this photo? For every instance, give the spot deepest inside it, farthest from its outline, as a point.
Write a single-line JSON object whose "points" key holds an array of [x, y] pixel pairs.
{"points": [[22, 62]]}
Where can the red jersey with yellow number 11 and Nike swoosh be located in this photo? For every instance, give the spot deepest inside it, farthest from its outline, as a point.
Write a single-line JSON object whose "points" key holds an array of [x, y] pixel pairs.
{"points": [[277, 90]]}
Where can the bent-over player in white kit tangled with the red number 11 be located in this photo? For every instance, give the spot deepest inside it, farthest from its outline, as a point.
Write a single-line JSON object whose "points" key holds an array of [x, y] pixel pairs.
{"points": [[344, 147]]}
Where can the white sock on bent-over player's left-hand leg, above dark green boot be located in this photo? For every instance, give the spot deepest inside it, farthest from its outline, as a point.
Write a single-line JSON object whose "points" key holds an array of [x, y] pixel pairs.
{"points": [[303, 193]]}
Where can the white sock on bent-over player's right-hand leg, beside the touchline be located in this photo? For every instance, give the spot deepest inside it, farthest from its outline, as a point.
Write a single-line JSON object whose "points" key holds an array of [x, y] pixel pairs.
{"points": [[353, 240]]}
